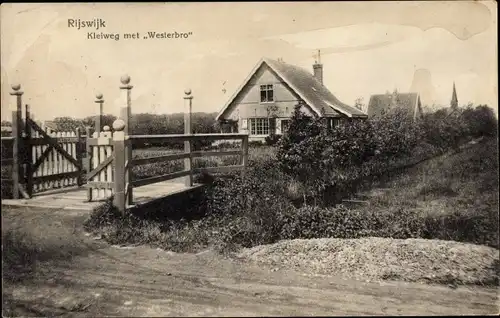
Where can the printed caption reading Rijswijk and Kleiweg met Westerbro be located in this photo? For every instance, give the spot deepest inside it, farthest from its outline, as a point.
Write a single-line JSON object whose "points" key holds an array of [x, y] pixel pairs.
{"points": [[94, 31]]}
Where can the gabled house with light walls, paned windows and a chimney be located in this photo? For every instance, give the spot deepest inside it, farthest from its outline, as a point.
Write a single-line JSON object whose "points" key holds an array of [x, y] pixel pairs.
{"points": [[265, 101]]}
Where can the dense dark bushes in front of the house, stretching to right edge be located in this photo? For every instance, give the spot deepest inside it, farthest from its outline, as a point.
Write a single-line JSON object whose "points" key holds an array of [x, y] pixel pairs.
{"points": [[321, 158]]}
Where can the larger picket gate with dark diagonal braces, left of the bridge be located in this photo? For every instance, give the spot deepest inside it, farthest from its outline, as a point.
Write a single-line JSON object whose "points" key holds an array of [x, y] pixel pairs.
{"points": [[52, 159]]}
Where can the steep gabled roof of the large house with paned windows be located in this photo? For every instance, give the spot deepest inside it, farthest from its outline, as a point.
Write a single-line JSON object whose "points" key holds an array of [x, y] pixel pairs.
{"points": [[306, 86]]}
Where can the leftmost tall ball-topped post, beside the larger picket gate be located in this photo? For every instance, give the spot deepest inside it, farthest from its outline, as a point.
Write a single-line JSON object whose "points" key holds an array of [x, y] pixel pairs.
{"points": [[17, 144]]}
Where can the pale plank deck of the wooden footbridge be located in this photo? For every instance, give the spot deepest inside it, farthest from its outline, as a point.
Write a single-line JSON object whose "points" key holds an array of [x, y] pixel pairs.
{"points": [[76, 198]]}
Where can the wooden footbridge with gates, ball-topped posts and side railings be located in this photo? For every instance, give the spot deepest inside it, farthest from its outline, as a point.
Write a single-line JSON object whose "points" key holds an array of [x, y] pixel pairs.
{"points": [[69, 170]]}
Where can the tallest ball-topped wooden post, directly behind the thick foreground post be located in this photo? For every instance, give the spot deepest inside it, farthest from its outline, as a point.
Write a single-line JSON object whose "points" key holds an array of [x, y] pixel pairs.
{"points": [[125, 113]]}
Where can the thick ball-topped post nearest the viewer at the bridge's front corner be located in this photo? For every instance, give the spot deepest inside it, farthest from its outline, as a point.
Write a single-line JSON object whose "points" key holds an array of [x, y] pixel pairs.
{"points": [[119, 199]]}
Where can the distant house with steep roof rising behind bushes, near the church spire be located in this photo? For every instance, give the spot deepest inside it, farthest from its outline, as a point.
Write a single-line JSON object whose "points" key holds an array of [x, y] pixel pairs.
{"points": [[384, 103]]}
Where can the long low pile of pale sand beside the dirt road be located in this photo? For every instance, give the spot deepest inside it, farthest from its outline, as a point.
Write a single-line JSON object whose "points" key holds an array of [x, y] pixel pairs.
{"points": [[415, 260]]}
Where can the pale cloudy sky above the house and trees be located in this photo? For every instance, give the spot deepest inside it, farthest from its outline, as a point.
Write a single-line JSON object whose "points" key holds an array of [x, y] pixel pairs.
{"points": [[366, 48]]}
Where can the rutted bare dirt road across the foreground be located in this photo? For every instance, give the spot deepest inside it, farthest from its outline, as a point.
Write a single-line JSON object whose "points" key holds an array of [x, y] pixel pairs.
{"points": [[92, 278]]}
